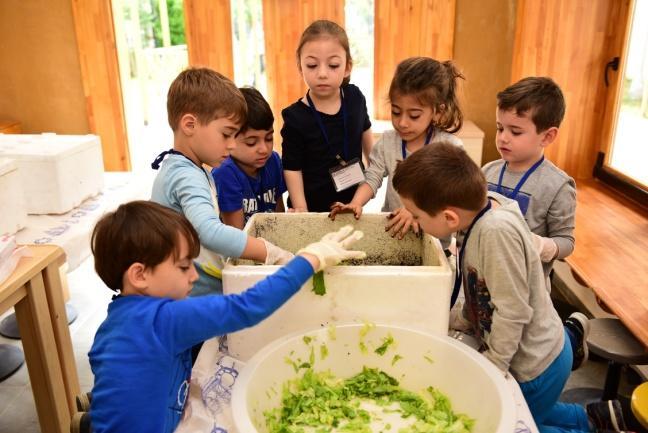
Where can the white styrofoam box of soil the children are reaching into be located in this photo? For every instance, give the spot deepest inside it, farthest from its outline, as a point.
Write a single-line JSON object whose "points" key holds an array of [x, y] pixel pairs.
{"points": [[401, 282]]}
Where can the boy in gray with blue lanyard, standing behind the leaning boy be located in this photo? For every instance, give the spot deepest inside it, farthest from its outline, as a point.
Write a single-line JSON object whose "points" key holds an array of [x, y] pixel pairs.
{"points": [[529, 114]]}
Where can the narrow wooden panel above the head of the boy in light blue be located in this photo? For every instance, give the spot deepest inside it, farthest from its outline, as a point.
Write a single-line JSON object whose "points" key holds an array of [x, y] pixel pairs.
{"points": [[208, 30]]}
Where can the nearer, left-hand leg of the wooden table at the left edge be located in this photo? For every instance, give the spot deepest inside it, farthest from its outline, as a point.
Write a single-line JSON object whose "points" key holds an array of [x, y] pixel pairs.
{"points": [[42, 358]]}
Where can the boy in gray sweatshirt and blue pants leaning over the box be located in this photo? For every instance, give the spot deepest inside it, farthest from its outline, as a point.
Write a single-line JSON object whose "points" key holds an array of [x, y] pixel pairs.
{"points": [[506, 300]]}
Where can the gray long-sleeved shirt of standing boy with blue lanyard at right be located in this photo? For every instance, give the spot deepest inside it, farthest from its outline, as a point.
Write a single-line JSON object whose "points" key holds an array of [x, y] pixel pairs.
{"points": [[547, 200]]}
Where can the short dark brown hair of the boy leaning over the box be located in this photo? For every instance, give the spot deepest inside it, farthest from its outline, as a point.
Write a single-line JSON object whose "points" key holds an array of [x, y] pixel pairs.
{"points": [[441, 175]]}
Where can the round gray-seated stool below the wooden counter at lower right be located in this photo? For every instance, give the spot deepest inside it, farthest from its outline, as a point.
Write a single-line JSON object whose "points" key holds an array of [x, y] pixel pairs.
{"points": [[609, 339]]}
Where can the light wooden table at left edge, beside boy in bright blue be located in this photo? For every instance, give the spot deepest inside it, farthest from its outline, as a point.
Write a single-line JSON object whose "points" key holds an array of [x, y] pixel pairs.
{"points": [[34, 290]]}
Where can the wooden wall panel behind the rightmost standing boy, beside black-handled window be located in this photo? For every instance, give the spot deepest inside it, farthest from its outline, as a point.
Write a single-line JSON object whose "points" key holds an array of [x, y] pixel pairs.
{"points": [[568, 40]]}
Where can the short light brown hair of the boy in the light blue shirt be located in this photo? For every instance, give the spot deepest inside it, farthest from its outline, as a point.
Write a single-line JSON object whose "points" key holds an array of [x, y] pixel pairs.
{"points": [[206, 94]]}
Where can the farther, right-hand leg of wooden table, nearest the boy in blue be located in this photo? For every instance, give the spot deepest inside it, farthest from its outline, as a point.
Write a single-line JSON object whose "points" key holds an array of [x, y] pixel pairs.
{"points": [[61, 329]]}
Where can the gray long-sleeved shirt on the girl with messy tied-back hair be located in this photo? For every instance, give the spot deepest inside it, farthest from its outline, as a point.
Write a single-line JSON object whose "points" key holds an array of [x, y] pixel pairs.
{"points": [[383, 159]]}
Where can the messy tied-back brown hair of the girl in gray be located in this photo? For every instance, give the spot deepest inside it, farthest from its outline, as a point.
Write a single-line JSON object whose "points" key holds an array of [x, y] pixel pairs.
{"points": [[434, 84]]}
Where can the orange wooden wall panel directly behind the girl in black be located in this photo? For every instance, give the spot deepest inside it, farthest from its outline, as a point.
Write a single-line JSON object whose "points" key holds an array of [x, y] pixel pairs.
{"points": [[283, 23]]}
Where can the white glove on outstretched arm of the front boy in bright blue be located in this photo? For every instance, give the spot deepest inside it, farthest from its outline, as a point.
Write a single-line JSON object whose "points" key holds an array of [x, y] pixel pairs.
{"points": [[333, 248]]}
